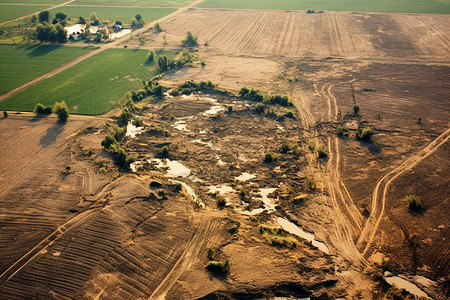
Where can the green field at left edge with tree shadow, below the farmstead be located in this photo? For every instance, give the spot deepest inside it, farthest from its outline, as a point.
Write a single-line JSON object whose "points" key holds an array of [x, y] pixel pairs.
{"points": [[21, 64]]}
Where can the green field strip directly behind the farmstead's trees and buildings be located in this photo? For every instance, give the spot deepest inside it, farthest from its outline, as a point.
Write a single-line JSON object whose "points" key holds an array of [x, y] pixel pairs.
{"points": [[114, 13]]}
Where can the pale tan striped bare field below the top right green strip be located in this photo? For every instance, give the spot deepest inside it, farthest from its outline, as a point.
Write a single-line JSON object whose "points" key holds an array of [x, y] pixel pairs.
{"points": [[298, 34]]}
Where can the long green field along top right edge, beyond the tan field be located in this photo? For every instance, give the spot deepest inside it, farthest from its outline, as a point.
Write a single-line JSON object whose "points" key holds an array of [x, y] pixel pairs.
{"points": [[405, 6]]}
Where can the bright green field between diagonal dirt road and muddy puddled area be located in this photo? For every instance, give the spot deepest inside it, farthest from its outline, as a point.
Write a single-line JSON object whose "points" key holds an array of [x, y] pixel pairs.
{"points": [[93, 86]]}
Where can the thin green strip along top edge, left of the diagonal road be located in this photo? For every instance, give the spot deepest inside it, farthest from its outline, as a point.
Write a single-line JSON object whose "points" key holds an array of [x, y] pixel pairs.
{"points": [[142, 3]]}
